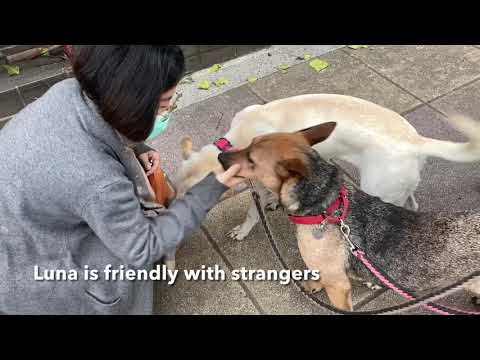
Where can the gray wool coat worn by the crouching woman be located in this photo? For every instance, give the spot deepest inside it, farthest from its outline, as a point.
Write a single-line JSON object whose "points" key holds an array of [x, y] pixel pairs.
{"points": [[67, 201]]}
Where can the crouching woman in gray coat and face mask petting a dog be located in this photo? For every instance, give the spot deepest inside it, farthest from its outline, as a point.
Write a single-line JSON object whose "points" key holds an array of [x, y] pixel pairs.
{"points": [[66, 200]]}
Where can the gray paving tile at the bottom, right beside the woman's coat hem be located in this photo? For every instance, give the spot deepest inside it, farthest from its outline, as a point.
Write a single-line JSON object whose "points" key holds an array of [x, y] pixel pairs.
{"points": [[201, 297]]}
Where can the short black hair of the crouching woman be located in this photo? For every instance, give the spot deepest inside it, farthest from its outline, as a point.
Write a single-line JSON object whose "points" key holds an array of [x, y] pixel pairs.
{"points": [[126, 82]]}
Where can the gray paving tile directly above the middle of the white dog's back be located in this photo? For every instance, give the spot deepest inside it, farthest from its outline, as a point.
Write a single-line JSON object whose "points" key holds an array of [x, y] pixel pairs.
{"points": [[344, 76]]}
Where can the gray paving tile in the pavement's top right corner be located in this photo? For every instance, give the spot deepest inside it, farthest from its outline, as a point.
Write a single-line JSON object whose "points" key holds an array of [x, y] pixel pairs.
{"points": [[428, 71]]}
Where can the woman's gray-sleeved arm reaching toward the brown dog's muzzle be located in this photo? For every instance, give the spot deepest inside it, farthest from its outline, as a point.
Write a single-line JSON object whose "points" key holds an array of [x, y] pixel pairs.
{"points": [[115, 215]]}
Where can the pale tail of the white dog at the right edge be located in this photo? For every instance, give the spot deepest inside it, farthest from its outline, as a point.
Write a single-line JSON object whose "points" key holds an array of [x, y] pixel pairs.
{"points": [[458, 152]]}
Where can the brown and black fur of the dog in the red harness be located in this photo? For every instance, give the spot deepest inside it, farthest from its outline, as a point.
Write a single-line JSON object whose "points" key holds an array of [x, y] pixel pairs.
{"points": [[419, 251]]}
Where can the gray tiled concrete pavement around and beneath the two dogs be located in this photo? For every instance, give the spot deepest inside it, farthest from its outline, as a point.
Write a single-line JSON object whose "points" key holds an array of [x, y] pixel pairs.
{"points": [[420, 82]]}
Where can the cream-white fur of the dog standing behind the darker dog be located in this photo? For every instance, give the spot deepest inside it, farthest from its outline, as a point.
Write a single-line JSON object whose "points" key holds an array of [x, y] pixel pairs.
{"points": [[386, 149]]}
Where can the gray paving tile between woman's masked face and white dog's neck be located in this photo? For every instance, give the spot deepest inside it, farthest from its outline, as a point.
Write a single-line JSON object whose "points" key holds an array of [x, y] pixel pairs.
{"points": [[204, 122]]}
